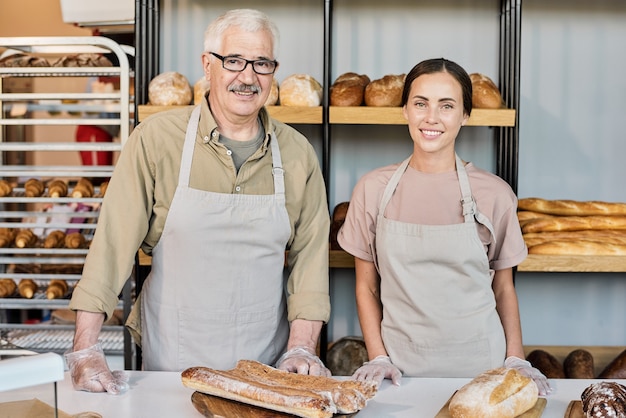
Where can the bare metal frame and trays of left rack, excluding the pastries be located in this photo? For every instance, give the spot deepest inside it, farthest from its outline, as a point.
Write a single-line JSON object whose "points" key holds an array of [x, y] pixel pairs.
{"points": [[21, 212]]}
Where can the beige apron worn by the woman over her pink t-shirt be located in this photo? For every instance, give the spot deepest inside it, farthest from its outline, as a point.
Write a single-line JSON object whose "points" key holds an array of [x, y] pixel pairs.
{"points": [[439, 311]]}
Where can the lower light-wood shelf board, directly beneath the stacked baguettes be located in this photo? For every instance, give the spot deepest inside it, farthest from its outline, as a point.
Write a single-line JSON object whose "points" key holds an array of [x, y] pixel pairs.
{"points": [[533, 263]]}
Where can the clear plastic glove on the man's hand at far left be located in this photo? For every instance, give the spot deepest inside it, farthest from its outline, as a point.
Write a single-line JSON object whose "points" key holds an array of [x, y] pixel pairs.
{"points": [[90, 372]]}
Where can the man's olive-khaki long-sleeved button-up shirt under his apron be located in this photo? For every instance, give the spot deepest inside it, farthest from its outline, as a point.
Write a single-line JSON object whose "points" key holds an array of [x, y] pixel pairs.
{"points": [[141, 189]]}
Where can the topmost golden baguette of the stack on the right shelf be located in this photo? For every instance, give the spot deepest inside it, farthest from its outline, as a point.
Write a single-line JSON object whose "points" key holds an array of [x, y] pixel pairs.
{"points": [[571, 207]]}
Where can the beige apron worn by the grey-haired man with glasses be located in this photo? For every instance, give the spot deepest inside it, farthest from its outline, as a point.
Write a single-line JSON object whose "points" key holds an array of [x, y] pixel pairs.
{"points": [[215, 294]]}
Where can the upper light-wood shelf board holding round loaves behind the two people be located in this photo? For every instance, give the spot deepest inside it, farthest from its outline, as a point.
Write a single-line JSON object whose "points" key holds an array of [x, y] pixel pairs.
{"points": [[363, 115]]}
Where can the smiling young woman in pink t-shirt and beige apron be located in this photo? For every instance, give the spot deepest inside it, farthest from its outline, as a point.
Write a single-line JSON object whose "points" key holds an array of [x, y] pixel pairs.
{"points": [[435, 240]]}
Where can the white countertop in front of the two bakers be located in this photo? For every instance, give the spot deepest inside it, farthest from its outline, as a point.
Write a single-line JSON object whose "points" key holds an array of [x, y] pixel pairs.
{"points": [[161, 394]]}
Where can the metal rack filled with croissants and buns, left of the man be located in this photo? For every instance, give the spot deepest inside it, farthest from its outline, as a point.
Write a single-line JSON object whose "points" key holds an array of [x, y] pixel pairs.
{"points": [[49, 211]]}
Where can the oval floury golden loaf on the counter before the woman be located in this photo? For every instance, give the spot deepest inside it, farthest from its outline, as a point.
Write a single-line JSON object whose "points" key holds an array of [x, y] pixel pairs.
{"points": [[497, 393]]}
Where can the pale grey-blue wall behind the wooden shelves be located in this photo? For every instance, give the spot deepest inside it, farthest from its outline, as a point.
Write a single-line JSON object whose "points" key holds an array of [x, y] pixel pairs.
{"points": [[573, 55]]}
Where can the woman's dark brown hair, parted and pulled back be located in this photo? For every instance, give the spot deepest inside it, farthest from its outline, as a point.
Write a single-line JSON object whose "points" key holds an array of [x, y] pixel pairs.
{"points": [[441, 65]]}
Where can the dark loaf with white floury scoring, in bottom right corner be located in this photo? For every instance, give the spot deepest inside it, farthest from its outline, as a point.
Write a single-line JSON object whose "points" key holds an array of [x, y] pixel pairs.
{"points": [[604, 399]]}
